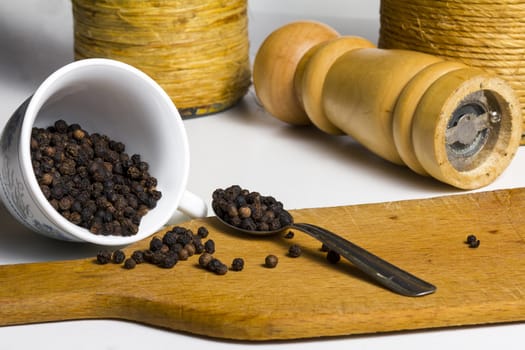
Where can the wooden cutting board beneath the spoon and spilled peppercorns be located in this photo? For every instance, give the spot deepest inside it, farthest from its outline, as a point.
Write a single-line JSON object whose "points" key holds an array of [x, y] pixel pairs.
{"points": [[304, 297]]}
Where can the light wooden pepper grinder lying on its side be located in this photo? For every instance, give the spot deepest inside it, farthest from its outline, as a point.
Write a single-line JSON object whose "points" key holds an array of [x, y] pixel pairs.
{"points": [[440, 118]]}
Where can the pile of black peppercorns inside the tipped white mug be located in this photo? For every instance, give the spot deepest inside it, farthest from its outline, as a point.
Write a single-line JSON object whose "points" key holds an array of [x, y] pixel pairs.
{"points": [[90, 179]]}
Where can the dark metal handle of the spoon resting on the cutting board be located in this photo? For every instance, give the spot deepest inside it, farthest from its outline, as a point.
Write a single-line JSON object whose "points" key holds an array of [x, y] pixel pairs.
{"points": [[382, 271]]}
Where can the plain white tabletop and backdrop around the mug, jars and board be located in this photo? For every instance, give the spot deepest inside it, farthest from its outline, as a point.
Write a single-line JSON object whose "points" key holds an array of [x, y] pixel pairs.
{"points": [[301, 166]]}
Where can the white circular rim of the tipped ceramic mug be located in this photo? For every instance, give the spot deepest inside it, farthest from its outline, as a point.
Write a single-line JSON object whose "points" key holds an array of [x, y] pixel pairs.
{"points": [[73, 231]]}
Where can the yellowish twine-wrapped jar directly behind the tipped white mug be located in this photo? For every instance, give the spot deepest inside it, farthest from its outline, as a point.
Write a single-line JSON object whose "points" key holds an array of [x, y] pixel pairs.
{"points": [[197, 50]]}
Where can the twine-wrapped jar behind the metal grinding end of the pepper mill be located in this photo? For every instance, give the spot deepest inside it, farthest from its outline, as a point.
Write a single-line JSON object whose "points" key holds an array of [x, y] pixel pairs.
{"points": [[487, 34]]}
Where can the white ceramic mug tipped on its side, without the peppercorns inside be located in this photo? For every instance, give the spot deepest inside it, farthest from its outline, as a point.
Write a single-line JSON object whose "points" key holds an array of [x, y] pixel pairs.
{"points": [[111, 98]]}
